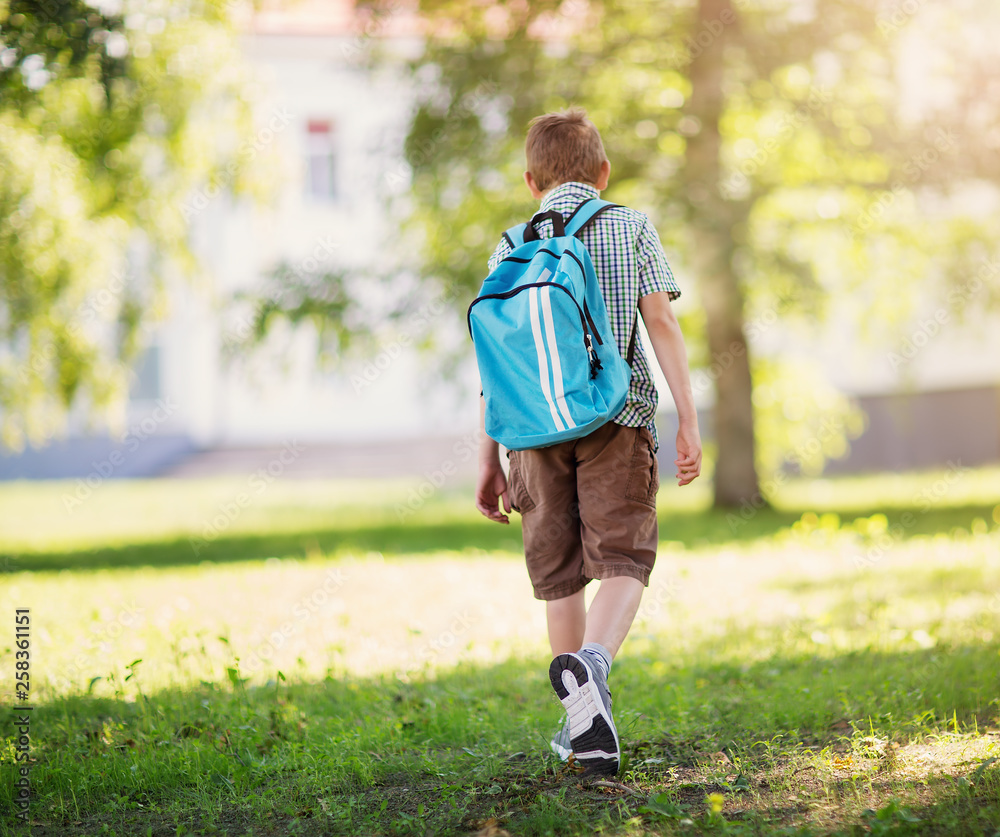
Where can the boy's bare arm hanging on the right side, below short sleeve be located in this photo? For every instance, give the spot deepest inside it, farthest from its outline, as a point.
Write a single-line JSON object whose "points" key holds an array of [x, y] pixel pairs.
{"points": [[668, 345]]}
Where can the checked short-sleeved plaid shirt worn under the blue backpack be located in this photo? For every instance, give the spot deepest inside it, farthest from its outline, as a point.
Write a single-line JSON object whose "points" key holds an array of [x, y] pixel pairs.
{"points": [[630, 264]]}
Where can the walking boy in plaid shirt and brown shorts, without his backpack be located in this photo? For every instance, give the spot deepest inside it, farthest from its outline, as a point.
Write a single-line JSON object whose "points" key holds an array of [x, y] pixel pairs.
{"points": [[588, 506]]}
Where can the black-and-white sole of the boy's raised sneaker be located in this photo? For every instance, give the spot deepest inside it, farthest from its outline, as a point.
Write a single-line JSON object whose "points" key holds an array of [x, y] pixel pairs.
{"points": [[591, 729]]}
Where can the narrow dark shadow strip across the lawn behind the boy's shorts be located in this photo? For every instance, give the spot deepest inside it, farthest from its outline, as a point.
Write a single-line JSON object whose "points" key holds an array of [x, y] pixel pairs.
{"points": [[460, 534]]}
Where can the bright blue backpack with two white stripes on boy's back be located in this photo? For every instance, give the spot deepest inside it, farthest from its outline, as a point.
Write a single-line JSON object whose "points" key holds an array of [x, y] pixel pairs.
{"points": [[547, 357]]}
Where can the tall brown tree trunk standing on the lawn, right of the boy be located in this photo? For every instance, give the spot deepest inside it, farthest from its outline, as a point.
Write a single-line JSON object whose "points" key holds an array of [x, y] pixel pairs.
{"points": [[712, 220]]}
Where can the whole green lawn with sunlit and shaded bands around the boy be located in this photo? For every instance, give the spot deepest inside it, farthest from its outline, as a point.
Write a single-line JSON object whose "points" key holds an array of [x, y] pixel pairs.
{"points": [[329, 663]]}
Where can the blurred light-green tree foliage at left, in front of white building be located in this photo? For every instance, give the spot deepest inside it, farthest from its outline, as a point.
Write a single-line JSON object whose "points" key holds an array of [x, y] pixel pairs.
{"points": [[112, 117]]}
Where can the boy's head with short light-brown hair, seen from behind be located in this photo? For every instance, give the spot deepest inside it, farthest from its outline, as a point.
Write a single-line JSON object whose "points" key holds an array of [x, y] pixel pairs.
{"points": [[563, 147]]}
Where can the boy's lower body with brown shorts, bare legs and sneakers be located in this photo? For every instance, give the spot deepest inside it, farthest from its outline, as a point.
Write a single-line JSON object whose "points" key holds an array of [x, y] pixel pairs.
{"points": [[617, 539]]}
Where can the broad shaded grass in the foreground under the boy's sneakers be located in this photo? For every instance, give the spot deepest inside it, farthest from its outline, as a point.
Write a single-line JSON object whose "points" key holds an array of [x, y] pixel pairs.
{"points": [[448, 753]]}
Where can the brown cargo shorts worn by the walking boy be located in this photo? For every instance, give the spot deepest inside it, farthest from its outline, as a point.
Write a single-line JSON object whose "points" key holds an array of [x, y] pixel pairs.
{"points": [[588, 508]]}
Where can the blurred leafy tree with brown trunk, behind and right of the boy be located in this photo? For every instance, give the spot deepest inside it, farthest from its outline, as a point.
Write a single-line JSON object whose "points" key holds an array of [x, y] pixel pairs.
{"points": [[756, 134]]}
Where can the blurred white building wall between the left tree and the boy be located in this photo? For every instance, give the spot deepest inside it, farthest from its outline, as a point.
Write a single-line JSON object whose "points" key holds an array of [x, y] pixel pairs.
{"points": [[314, 80]]}
